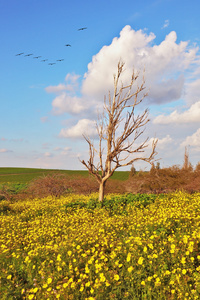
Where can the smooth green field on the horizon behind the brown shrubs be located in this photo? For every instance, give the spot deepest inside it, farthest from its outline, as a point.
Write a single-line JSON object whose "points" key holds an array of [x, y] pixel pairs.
{"points": [[25, 175]]}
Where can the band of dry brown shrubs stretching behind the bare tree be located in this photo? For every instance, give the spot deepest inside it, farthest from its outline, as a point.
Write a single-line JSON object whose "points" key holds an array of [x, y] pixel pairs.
{"points": [[155, 181]]}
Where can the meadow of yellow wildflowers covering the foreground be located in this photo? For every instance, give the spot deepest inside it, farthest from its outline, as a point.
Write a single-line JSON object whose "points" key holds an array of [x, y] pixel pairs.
{"points": [[74, 248]]}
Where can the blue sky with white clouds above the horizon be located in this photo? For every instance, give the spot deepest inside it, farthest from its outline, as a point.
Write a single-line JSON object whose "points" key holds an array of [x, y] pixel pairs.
{"points": [[45, 108]]}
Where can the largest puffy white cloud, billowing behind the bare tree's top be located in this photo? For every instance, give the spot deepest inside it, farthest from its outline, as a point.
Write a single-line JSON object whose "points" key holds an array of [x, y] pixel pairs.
{"points": [[164, 64]]}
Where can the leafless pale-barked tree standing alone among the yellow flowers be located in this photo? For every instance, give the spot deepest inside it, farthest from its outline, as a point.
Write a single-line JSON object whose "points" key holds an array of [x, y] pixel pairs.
{"points": [[119, 144]]}
